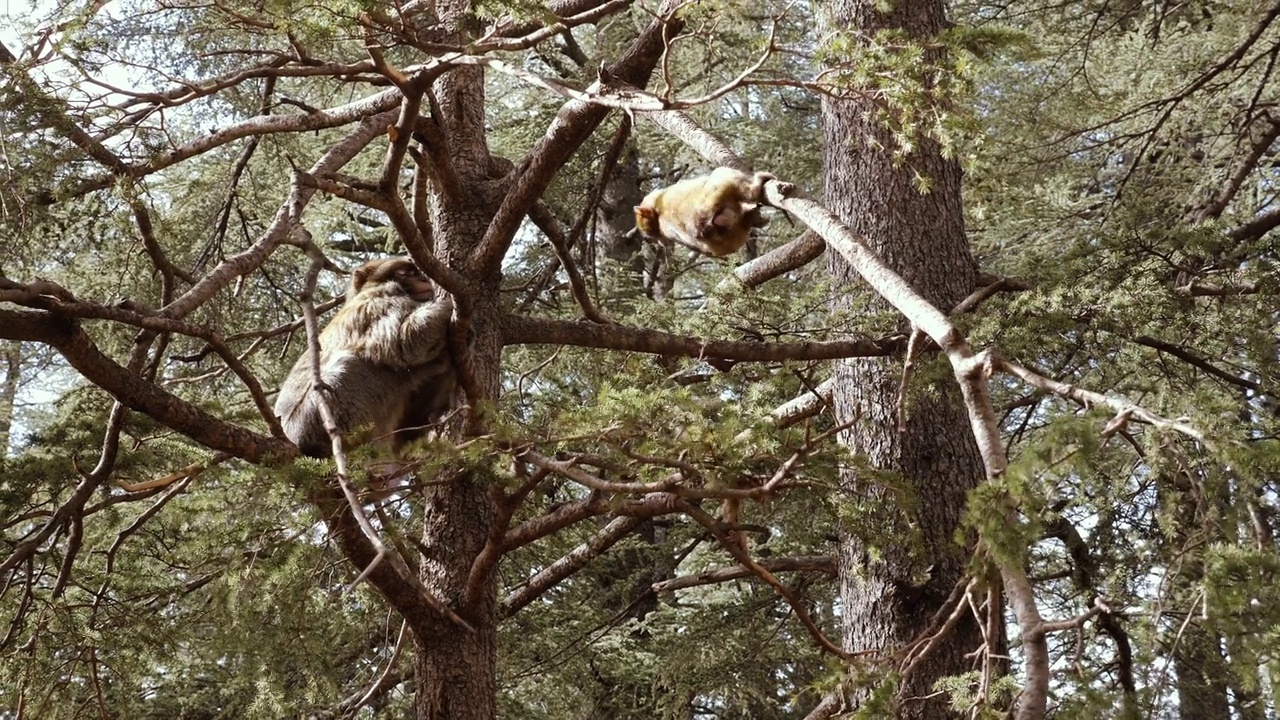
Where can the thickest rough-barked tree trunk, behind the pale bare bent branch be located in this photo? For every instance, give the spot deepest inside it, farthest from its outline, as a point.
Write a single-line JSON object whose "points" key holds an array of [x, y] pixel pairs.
{"points": [[889, 589]]}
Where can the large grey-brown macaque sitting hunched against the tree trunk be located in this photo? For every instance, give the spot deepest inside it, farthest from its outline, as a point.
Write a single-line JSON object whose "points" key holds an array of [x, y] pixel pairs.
{"points": [[385, 362]]}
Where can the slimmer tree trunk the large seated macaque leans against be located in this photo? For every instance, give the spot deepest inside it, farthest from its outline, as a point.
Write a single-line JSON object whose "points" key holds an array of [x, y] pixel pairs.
{"points": [[455, 668]]}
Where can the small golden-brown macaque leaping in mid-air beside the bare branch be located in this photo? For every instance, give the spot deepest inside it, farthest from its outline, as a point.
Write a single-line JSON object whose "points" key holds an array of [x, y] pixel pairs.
{"points": [[712, 215]]}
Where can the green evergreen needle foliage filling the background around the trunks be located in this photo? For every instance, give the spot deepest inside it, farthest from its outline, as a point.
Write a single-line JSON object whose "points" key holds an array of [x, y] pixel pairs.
{"points": [[1121, 162]]}
